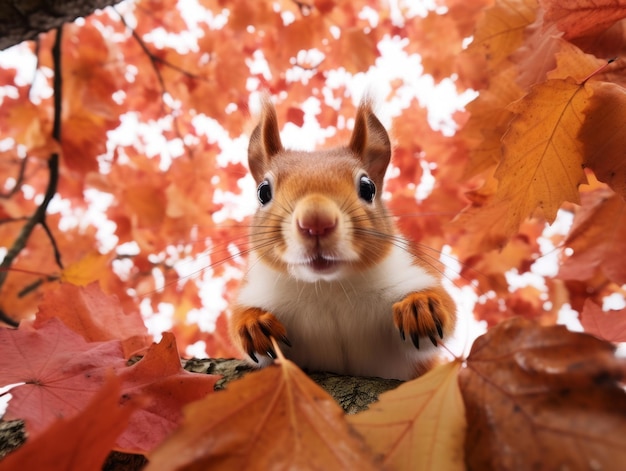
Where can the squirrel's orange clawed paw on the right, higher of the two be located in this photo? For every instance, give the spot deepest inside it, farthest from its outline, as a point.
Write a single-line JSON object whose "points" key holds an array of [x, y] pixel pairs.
{"points": [[422, 314]]}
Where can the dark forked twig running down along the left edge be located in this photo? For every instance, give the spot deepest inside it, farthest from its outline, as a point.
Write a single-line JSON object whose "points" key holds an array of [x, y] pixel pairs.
{"points": [[39, 217]]}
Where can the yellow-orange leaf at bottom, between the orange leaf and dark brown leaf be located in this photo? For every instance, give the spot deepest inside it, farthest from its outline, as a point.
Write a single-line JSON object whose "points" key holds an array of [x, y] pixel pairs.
{"points": [[419, 425]]}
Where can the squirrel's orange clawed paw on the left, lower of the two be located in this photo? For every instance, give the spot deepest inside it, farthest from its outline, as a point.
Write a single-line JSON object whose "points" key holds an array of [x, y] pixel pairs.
{"points": [[253, 327]]}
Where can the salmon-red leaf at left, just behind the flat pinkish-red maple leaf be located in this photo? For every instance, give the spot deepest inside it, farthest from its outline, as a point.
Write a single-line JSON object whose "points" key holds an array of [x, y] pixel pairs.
{"points": [[96, 316]]}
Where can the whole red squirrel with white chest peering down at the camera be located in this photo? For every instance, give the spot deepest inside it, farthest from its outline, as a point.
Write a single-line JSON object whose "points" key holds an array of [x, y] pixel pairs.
{"points": [[329, 275]]}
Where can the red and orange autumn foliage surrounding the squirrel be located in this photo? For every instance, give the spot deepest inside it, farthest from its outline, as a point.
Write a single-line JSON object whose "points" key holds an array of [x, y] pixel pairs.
{"points": [[153, 103]]}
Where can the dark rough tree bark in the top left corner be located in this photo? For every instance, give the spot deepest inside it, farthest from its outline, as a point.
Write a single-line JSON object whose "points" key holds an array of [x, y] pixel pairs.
{"points": [[22, 20]]}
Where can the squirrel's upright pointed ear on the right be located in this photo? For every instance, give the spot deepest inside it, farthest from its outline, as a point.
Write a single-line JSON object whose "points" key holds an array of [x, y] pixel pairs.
{"points": [[370, 142]]}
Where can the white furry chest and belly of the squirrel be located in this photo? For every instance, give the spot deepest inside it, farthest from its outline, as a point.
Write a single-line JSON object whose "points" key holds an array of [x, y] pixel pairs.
{"points": [[345, 325]]}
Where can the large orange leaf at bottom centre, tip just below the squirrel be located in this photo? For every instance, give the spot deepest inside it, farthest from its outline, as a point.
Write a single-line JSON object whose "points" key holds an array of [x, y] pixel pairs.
{"points": [[276, 417]]}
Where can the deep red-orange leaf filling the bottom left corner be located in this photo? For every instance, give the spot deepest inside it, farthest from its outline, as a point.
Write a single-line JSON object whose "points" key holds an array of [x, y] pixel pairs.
{"points": [[87, 438]]}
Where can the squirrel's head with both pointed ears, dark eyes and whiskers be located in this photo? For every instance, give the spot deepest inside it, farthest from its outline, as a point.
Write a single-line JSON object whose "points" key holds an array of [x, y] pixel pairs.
{"points": [[323, 209]]}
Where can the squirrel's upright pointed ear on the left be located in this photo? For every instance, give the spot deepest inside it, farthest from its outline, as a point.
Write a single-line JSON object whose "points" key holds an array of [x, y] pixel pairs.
{"points": [[265, 141]]}
